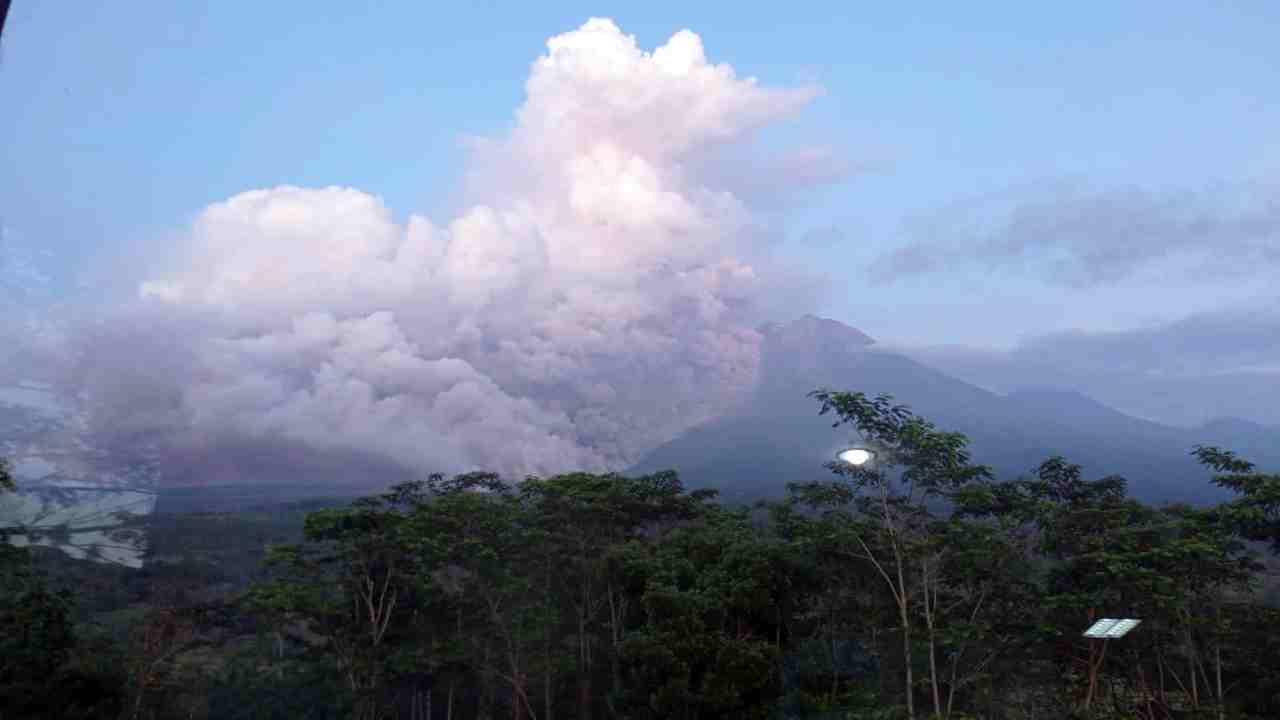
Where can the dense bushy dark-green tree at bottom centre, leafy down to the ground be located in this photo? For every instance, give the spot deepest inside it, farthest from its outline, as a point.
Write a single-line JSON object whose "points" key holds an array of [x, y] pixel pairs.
{"points": [[707, 645]]}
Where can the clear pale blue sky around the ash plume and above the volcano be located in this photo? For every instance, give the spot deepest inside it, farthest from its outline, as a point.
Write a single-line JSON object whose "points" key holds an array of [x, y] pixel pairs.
{"points": [[125, 121]]}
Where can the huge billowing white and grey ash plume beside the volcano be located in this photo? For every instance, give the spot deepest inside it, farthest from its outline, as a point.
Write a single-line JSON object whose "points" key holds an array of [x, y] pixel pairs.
{"points": [[596, 300]]}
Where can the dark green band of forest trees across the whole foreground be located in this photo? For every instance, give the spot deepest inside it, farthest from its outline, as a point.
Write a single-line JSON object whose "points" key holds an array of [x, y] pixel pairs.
{"points": [[588, 596]]}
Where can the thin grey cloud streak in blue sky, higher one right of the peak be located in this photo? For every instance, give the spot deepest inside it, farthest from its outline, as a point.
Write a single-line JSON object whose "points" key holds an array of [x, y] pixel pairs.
{"points": [[1084, 238]]}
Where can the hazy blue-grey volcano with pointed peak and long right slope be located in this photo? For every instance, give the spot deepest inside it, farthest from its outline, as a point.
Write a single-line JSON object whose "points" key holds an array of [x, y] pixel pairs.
{"points": [[778, 435]]}
